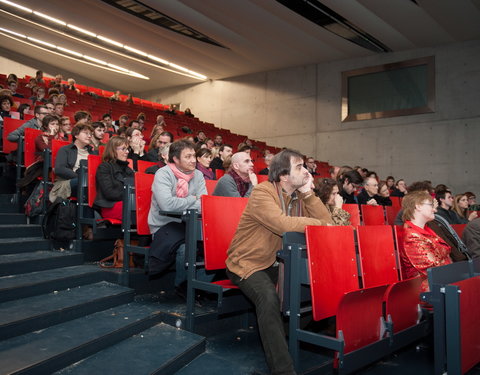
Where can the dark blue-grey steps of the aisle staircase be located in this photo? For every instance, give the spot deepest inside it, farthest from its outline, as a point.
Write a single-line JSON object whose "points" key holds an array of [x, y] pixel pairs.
{"points": [[59, 315]]}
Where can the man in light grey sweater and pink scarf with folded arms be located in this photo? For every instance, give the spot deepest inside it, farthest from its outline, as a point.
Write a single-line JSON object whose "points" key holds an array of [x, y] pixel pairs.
{"points": [[176, 187]]}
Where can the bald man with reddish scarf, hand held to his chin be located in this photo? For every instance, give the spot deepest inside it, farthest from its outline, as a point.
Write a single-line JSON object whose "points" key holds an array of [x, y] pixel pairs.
{"points": [[239, 180]]}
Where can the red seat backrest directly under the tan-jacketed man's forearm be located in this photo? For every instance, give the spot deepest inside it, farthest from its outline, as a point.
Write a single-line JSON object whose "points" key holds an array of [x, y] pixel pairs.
{"points": [[332, 272]]}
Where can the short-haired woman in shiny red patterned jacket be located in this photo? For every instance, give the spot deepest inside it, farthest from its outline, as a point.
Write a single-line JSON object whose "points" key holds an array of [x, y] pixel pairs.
{"points": [[423, 248]]}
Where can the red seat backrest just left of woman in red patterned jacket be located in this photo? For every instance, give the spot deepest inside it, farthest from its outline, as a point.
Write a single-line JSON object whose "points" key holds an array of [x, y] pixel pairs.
{"points": [[377, 255]]}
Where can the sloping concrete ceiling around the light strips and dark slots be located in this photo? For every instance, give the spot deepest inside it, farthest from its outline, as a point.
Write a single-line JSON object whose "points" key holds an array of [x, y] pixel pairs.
{"points": [[260, 35]]}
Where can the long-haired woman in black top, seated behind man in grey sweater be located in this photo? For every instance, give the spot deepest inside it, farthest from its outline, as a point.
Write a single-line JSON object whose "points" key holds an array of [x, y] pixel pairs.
{"points": [[110, 178]]}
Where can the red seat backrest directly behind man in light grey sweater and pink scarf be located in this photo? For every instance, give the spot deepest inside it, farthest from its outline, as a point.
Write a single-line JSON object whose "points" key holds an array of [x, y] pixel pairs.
{"points": [[143, 199]]}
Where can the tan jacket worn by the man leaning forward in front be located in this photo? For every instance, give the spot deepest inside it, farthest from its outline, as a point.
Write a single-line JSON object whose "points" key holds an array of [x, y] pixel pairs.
{"points": [[259, 233]]}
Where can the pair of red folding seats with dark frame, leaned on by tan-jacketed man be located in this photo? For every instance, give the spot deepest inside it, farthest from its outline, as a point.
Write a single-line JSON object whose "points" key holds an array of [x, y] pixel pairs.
{"points": [[376, 313]]}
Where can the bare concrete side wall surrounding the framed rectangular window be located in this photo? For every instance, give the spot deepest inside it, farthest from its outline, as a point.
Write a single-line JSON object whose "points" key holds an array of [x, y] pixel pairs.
{"points": [[301, 108]]}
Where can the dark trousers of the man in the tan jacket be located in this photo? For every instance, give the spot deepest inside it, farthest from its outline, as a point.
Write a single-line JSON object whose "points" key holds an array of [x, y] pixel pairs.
{"points": [[260, 288]]}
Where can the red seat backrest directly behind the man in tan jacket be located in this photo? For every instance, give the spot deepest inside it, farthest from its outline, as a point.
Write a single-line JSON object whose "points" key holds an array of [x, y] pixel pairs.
{"points": [[218, 228]]}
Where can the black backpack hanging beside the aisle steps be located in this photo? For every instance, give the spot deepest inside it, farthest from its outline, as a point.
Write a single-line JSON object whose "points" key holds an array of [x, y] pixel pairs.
{"points": [[60, 221]]}
